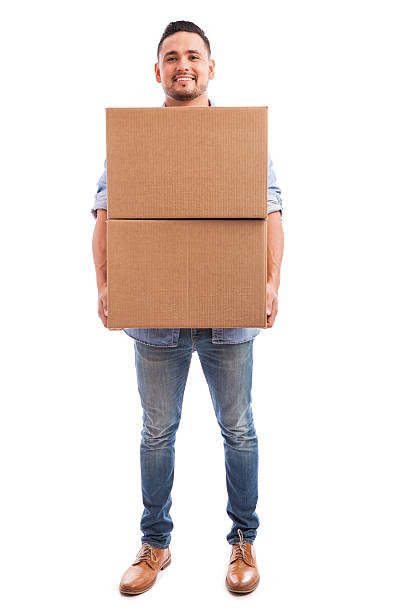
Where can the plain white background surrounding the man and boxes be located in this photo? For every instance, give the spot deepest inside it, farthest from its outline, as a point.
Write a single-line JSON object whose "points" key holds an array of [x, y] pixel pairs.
{"points": [[329, 384]]}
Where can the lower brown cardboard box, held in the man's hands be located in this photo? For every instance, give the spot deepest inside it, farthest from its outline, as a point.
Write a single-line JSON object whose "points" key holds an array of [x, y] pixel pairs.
{"points": [[184, 273]]}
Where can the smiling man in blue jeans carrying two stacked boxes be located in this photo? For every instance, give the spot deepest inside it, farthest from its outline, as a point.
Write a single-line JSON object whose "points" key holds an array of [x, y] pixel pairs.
{"points": [[184, 68]]}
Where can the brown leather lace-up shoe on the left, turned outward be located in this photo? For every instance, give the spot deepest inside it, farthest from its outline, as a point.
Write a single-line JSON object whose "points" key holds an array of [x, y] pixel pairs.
{"points": [[142, 574]]}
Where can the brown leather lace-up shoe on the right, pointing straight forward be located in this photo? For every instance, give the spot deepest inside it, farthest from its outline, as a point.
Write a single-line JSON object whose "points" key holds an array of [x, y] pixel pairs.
{"points": [[242, 574]]}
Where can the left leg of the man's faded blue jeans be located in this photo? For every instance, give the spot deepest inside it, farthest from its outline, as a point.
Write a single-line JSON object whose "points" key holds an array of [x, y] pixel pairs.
{"points": [[161, 376]]}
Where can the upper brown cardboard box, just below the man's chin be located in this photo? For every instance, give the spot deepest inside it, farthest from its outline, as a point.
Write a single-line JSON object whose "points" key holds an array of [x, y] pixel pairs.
{"points": [[179, 162]]}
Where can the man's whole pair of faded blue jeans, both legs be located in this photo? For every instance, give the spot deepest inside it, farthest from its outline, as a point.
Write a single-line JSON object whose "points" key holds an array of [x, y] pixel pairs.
{"points": [[161, 377]]}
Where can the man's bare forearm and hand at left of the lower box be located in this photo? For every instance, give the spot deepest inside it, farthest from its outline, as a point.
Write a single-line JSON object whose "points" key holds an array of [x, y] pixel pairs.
{"points": [[99, 254]]}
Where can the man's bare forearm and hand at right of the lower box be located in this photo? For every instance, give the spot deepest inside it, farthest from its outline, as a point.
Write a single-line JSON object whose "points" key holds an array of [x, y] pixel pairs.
{"points": [[274, 259]]}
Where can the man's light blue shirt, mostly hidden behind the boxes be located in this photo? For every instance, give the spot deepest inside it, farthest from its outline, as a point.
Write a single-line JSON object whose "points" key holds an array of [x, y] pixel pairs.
{"points": [[169, 337]]}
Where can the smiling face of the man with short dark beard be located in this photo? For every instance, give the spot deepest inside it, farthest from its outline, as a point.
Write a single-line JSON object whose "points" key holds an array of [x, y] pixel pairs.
{"points": [[184, 54]]}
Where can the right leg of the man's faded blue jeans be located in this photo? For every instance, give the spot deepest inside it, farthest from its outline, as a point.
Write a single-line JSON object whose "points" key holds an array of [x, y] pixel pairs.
{"points": [[228, 371]]}
